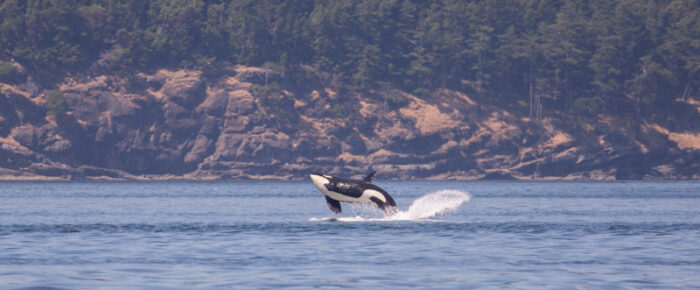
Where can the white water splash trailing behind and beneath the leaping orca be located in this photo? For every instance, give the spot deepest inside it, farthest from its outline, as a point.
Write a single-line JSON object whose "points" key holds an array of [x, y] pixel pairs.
{"points": [[423, 208]]}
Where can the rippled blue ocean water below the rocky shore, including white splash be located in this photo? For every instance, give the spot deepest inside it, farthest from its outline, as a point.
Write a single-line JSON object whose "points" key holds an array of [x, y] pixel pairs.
{"points": [[172, 235]]}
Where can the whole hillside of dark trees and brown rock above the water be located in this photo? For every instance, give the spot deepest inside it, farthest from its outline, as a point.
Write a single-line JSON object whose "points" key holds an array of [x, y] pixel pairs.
{"points": [[270, 89]]}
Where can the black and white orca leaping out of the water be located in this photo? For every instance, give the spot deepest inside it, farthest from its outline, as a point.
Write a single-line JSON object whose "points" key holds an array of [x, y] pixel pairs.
{"points": [[355, 191]]}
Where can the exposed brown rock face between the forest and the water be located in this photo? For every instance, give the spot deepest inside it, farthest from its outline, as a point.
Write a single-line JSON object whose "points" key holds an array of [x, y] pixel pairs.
{"points": [[180, 124]]}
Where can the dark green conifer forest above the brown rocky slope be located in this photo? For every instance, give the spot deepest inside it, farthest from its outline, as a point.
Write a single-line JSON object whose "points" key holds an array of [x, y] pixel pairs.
{"points": [[581, 58]]}
